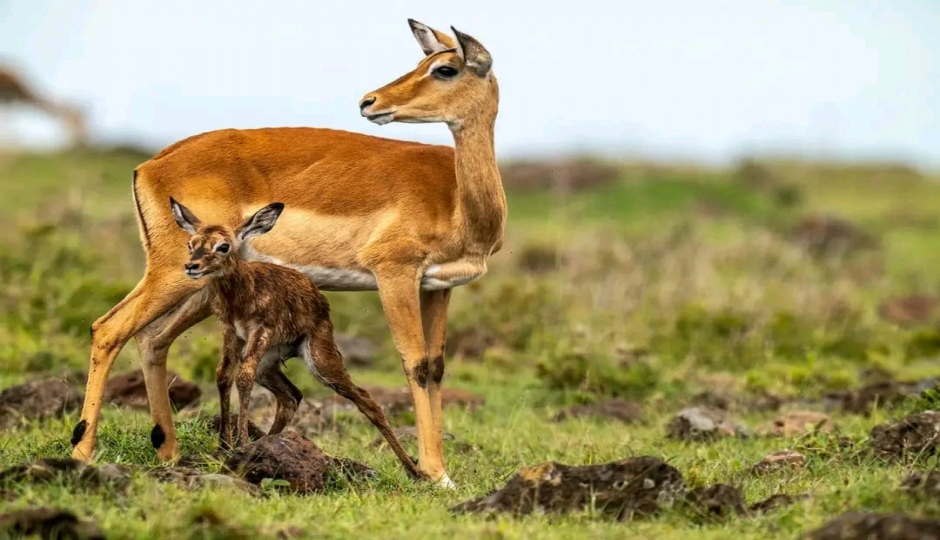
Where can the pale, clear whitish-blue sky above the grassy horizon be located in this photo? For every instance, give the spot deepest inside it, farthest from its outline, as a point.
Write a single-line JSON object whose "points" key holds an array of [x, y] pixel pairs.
{"points": [[706, 80]]}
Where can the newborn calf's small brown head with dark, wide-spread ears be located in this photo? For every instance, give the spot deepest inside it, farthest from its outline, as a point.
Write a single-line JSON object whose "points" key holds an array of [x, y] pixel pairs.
{"points": [[213, 248]]}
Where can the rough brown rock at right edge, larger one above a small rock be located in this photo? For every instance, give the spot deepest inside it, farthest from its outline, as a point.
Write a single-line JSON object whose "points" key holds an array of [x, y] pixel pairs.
{"points": [[914, 435]]}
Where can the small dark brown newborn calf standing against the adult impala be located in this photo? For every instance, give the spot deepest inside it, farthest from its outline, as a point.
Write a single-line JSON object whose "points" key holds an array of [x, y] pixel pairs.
{"points": [[270, 313]]}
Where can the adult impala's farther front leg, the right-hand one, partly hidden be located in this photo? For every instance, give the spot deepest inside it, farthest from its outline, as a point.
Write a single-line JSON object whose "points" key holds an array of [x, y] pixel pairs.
{"points": [[434, 319]]}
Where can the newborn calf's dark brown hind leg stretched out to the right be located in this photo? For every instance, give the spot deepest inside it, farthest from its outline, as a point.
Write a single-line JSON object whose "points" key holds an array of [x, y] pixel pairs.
{"points": [[325, 362]]}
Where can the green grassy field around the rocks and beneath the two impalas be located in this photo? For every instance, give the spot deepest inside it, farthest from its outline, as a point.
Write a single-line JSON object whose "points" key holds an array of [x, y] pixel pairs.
{"points": [[662, 284]]}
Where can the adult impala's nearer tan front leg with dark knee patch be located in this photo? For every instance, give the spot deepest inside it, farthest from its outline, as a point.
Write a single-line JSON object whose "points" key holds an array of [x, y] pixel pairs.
{"points": [[398, 290]]}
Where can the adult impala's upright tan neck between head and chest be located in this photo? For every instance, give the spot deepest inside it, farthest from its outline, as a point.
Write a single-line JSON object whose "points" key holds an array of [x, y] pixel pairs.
{"points": [[481, 200]]}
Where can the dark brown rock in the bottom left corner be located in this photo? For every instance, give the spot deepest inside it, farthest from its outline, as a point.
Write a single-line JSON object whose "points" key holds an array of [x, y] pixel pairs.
{"points": [[48, 523]]}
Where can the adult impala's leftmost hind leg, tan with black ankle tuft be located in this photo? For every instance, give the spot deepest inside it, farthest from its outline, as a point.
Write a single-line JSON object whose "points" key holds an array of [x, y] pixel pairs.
{"points": [[154, 295]]}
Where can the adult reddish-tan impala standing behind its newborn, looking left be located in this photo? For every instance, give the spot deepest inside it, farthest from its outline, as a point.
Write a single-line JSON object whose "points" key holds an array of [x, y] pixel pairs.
{"points": [[361, 213]]}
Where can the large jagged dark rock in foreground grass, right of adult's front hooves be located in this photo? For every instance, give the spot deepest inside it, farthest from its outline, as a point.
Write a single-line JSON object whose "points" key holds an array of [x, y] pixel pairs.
{"points": [[635, 487]]}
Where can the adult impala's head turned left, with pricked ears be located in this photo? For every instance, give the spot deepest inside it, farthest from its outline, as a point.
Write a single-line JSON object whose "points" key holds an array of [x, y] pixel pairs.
{"points": [[453, 83]]}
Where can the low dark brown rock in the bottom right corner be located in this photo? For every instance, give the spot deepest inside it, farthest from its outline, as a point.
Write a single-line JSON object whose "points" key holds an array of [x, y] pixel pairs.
{"points": [[872, 526]]}
